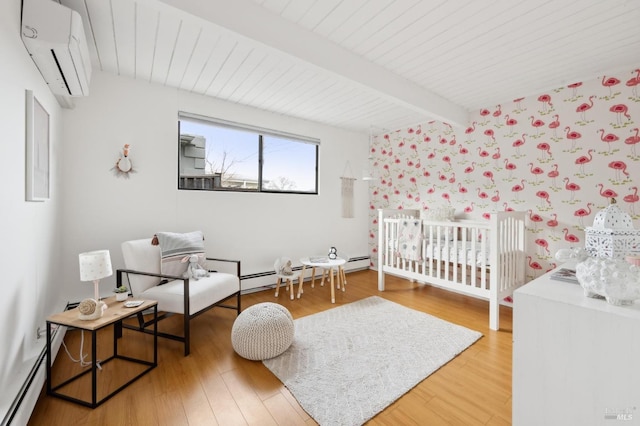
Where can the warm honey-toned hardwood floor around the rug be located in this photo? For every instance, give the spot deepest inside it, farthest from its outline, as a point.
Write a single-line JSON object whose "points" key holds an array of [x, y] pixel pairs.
{"points": [[213, 385]]}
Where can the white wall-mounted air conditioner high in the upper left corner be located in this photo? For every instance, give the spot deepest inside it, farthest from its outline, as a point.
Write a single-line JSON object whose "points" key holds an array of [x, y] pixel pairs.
{"points": [[54, 37]]}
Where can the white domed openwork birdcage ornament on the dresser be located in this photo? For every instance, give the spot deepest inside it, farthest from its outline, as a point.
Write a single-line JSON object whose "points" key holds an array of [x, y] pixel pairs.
{"points": [[612, 234]]}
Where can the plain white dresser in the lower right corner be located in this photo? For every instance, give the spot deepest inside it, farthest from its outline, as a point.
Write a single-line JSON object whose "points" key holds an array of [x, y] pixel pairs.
{"points": [[576, 360]]}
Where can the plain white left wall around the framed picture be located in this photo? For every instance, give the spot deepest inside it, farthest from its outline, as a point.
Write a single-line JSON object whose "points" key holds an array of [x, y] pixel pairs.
{"points": [[30, 252]]}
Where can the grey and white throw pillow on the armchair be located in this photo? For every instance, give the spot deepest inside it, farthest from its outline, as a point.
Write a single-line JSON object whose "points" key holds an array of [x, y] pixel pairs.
{"points": [[174, 247]]}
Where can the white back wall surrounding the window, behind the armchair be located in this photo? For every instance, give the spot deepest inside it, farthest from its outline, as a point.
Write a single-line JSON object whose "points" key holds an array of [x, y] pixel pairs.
{"points": [[102, 210]]}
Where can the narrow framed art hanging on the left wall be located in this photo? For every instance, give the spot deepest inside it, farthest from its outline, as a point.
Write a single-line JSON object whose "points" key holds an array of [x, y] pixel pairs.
{"points": [[38, 149]]}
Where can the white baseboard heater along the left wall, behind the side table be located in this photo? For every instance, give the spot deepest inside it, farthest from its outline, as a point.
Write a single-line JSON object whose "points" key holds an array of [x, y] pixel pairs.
{"points": [[27, 396]]}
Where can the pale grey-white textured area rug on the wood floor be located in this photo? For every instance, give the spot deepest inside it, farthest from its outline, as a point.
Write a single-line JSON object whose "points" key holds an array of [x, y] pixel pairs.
{"points": [[348, 363]]}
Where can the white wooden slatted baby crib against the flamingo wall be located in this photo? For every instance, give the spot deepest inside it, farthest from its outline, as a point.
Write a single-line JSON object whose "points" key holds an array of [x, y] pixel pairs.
{"points": [[483, 259]]}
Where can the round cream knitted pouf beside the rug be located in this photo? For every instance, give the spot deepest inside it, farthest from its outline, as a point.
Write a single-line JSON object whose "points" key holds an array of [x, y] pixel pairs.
{"points": [[262, 331]]}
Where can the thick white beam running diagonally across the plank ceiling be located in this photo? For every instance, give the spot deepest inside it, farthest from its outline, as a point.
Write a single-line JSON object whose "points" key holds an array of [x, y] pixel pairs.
{"points": [[248, 19]]}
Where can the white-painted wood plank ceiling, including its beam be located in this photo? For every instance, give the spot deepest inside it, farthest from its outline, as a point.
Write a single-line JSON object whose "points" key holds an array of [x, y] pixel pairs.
{"points": [[361, 63]]}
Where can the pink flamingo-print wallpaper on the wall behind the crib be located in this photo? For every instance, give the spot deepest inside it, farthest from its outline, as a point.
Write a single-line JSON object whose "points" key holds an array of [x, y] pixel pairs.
{"points": [[560, 156]]}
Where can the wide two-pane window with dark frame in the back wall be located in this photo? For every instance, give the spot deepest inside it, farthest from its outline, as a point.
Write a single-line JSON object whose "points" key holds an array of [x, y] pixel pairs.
{"points": [[218, 155]]}
